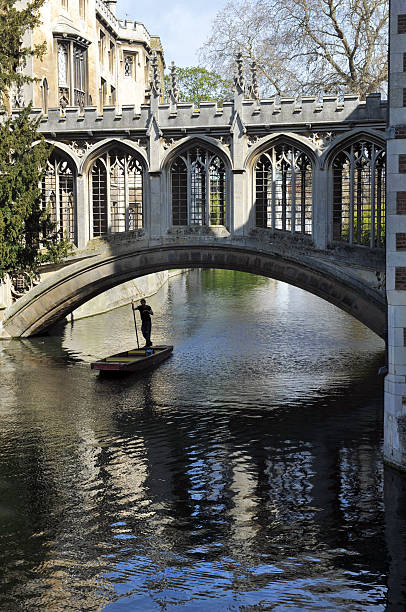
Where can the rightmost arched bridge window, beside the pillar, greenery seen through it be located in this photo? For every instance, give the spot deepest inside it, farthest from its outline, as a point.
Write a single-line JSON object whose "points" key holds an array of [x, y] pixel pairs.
{"points": [[359, 195]]}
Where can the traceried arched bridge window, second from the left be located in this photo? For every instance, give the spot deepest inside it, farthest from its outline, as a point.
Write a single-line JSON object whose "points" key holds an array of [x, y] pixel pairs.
{"points": [[116, 193]]}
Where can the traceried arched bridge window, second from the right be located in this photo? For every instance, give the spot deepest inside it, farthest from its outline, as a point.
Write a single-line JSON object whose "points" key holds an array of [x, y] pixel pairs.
{"points": [[283, 190]]}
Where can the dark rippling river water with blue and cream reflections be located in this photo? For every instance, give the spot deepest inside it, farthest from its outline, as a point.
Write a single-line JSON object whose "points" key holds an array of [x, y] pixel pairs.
{"points": [[243, 474]]}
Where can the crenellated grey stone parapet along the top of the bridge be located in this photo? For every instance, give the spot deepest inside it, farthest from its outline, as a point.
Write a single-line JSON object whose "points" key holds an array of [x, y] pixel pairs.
{"points": [[185, 117]]}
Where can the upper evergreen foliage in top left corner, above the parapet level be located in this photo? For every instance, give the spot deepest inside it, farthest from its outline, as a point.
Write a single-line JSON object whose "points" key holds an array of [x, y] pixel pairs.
{"points": [[13, 54]]}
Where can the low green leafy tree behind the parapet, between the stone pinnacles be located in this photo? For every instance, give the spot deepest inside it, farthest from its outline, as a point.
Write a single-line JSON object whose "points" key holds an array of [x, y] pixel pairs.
{"points": [[197, 84]]}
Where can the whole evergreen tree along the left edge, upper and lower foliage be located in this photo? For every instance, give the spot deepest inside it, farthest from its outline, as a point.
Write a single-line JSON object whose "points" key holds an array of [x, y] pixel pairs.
{"points": [[27, 235]]}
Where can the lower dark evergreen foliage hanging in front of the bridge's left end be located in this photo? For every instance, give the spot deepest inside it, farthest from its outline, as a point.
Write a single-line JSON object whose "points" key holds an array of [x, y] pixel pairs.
{"points": [[27, 235]]}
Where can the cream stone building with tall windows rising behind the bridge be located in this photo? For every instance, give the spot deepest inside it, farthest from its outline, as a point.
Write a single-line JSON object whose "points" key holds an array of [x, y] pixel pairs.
{"points": [[92, 58]]}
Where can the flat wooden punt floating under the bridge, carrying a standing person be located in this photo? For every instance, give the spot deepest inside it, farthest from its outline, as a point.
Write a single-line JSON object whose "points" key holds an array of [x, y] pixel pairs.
{"points": [[134, 360]]}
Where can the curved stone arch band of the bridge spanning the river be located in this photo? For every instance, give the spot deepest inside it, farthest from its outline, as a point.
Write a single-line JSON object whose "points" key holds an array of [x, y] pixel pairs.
{"points": [[77, 283]]}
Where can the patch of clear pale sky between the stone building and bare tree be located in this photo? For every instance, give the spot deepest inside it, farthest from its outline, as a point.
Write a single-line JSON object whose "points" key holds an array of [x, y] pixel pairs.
{"points": [[182, 26]]}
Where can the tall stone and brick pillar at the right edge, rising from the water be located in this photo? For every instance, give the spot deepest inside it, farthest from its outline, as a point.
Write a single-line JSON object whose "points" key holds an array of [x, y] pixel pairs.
{"points": [[395, 382]]}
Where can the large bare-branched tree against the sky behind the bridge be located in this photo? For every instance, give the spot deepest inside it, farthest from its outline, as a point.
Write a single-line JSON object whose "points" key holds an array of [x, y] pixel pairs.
{"points": [[304, 47]]}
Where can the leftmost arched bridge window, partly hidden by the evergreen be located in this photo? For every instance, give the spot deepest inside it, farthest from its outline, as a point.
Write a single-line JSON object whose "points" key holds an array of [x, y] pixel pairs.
{"points": [[58, 195]]}
